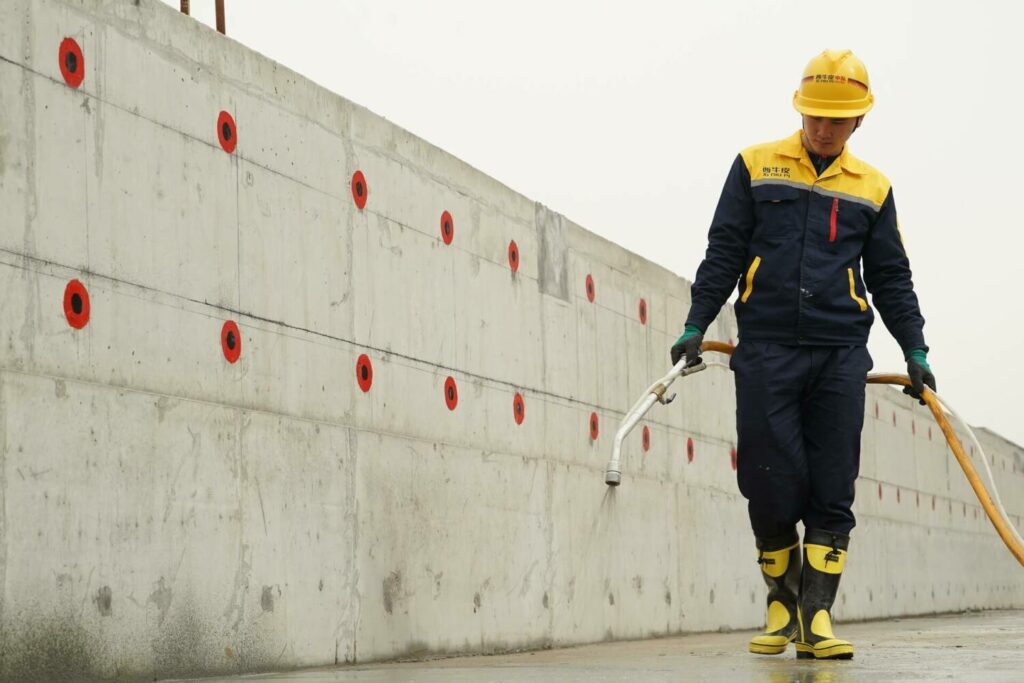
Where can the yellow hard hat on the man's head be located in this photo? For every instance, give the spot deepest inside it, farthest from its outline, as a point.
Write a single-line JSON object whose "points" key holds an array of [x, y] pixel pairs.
{"points": [[835, 86]]}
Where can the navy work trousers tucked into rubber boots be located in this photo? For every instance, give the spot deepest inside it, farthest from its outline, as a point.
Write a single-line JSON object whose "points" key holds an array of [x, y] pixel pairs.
{"points": [[800, 411]]}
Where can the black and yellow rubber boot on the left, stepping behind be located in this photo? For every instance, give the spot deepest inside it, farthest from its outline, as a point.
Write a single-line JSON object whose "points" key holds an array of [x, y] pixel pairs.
{"points": [[780, 561]]}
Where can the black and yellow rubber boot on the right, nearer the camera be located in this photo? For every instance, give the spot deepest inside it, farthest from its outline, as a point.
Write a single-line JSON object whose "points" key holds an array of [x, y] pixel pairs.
{"points": [[825, 559]]}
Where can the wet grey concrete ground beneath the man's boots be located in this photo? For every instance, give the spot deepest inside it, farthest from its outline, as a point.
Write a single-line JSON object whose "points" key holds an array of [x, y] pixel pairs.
{"points": [[977, 647]]}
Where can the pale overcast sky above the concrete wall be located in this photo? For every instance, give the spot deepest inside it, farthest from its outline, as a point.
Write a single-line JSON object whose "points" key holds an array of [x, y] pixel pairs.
{"points": [[625, 117]]}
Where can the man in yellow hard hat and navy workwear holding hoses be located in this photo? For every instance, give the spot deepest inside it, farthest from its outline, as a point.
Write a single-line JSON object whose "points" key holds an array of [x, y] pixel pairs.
{"points": [[805, 231]]}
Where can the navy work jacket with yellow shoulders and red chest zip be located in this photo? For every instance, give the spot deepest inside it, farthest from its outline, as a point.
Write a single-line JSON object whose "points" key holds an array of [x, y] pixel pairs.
{"points": [[801, 248]]}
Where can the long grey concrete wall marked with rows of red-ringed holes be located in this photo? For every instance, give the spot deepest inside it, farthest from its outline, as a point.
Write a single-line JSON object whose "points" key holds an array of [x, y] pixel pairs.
{"points": [[169, 514]]}
